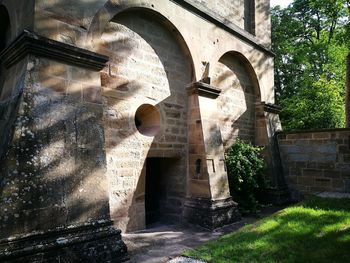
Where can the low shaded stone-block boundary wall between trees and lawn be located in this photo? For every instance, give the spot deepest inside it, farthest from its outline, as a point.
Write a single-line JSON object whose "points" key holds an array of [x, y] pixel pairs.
{"points": [[316, 161]]}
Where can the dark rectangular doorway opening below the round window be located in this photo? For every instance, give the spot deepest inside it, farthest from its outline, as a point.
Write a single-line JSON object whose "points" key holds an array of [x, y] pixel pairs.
{"points": [[164, 190]]}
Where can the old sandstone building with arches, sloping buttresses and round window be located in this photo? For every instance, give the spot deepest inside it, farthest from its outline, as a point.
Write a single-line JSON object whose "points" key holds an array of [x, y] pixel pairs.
{"points": [[116, 113]]}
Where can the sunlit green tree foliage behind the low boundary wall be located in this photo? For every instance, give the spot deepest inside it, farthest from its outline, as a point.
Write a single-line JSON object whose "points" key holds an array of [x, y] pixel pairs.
{"points": [[310, 42]]}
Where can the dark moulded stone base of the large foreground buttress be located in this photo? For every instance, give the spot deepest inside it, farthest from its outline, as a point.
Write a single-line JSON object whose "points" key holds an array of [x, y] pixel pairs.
{"points": [[72, 244]]}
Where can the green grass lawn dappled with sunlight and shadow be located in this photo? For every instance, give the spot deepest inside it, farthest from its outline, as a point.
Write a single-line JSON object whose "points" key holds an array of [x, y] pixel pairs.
{"points": [[317, 230]]}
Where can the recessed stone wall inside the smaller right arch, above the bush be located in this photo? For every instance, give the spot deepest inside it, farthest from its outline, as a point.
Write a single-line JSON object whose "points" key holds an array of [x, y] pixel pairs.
{"points": [[235, 76]]}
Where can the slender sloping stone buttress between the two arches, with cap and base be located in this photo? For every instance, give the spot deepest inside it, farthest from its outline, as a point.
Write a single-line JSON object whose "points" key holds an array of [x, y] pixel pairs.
{"points": [[208, 203]]}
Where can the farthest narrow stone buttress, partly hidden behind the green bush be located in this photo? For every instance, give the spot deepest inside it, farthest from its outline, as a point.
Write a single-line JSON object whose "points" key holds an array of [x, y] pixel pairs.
{"points": [[267, 127]]}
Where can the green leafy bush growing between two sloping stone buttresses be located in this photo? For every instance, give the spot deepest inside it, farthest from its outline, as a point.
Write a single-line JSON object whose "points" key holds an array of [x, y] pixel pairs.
{"points": [[245, 167]]}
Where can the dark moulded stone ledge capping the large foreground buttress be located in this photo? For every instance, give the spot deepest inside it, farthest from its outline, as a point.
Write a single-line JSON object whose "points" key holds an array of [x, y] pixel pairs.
{"points": [[31, 43]]}
